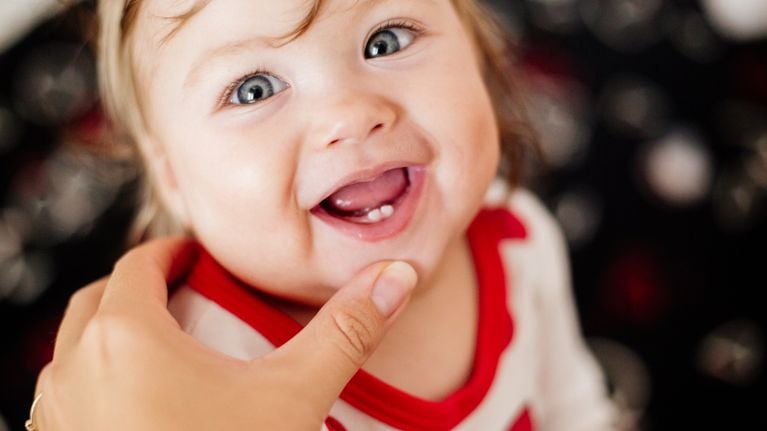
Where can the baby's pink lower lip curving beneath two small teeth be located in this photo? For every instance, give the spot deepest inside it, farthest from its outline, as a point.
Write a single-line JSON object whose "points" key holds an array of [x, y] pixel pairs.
{"points": [[404, 209]]}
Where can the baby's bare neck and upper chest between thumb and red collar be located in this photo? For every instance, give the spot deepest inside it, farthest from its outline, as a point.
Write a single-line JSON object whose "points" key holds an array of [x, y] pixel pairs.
{"points": [[429, 350]]}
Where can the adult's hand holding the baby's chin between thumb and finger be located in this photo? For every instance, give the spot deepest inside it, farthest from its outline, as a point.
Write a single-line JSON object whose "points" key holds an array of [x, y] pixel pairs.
{"points": [[121, 361]]}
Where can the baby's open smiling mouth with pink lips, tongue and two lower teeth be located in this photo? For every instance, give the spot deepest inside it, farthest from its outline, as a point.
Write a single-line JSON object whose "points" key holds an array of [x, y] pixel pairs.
{"points": [[376, 208]]}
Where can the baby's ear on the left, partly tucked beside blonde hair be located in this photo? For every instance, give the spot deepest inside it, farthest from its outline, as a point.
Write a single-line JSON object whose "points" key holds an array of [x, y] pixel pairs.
{"points": [[163, 180]]}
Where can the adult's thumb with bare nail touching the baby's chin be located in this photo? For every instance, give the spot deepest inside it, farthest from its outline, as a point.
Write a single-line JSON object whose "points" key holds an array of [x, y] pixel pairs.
{"points": [[335, 344]]}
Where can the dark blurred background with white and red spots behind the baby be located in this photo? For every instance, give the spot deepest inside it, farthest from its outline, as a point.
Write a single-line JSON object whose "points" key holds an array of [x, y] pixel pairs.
{"points": [[653, 119]]}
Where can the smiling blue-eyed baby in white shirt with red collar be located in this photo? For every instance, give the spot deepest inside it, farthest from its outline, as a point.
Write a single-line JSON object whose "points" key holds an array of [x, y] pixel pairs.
{"points": [[299, 141]]}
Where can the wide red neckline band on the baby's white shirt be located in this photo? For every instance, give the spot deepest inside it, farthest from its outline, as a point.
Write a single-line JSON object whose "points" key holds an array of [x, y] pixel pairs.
{"points": [[366, 392]]}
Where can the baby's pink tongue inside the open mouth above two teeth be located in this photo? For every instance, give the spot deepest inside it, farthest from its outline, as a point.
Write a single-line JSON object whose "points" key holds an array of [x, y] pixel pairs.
{"points": [[369, 194]]}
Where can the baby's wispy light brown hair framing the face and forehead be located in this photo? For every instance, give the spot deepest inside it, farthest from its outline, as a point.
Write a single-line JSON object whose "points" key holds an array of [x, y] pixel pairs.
{"points": [[121, 100]]}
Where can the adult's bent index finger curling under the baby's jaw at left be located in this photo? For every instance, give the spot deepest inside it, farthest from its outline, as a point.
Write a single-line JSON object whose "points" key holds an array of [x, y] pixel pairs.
{"points": [[141, 277]]}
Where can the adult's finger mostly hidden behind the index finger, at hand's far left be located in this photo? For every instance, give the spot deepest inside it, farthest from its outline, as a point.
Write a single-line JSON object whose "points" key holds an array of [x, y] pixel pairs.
{"points": [[82, 305]]}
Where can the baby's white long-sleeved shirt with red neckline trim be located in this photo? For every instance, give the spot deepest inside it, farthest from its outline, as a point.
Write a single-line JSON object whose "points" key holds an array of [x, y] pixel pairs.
{"points": [[531, 368]]}
